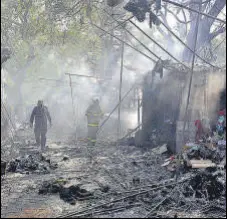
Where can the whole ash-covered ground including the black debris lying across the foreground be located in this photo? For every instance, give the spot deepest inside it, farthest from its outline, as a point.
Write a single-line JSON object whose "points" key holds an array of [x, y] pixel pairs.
{"points": [[123, 182]]}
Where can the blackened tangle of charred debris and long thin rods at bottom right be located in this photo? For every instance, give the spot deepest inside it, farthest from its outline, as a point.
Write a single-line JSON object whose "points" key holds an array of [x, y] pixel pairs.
{"points": [[166, 199]]}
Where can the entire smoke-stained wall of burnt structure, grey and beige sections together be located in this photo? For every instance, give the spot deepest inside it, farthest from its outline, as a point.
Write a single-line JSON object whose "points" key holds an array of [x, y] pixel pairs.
{"points": [[164, 105]]}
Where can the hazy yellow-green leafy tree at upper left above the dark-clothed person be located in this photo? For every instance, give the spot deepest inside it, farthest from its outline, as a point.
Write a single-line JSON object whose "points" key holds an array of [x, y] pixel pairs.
{"points": [[36, 29]]}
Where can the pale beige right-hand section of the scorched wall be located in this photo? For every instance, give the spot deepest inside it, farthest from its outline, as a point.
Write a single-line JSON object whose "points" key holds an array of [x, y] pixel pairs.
{"points": [[203, 103]]}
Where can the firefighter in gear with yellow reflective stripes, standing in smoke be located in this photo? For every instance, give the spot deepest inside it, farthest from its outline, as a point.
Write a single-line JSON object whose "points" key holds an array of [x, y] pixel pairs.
{"points": [[94, 115]]}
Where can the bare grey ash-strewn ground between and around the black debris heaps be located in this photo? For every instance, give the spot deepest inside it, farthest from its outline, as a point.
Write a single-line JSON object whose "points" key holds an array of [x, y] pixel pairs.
{"points": [[115, 166]]}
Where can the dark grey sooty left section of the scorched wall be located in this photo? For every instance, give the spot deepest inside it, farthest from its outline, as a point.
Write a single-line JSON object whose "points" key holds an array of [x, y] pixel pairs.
{"points": [[160, 106]]}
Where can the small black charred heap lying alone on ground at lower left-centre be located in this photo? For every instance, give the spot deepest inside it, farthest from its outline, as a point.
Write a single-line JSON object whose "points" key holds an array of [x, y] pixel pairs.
{"points": [[68, 194]]}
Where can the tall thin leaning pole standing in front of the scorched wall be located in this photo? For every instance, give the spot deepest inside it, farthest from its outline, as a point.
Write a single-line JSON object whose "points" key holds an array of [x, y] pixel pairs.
{"points": [[192, 71]]}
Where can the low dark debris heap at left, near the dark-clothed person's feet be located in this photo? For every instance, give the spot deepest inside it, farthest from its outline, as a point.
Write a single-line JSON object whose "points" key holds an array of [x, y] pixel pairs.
{"points": [[31, 163]]}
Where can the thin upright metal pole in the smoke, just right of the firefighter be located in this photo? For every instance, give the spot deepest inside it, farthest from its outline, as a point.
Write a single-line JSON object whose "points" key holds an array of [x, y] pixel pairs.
{"points": [[120, 88]]}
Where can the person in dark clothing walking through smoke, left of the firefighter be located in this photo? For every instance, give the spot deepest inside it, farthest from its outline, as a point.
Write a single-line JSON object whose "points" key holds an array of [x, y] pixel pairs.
{"points": [[41, 114]]}
